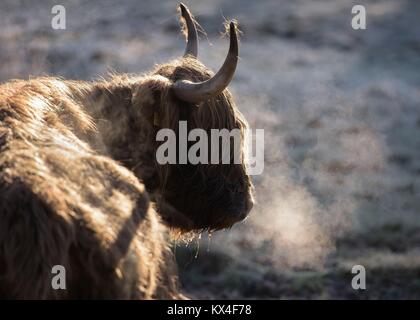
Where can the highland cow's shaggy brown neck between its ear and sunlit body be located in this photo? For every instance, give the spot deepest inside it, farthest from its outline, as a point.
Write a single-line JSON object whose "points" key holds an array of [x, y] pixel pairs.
{"points": [[118, 133]]}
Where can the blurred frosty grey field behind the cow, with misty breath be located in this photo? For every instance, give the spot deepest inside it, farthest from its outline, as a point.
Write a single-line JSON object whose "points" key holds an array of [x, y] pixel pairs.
{"points": [[341, 114]]}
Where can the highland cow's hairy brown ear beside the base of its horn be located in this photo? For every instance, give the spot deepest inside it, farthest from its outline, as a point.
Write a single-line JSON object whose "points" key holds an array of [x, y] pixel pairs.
{"points": [[147, 96]]}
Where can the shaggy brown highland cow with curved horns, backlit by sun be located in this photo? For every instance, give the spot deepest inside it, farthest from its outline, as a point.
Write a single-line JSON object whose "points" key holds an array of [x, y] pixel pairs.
{"points": [[80, 185]]}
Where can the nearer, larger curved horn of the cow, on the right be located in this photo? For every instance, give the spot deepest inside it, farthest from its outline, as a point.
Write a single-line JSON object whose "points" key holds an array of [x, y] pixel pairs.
{"points": [[197, 92]]}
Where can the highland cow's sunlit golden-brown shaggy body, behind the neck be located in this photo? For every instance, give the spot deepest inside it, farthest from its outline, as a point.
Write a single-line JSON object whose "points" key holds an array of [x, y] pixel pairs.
{"points": [[63, 204]]}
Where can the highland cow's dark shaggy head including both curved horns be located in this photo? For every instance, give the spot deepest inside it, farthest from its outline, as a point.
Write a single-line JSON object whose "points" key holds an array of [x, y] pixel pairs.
{"points": [[194, 196]]}
